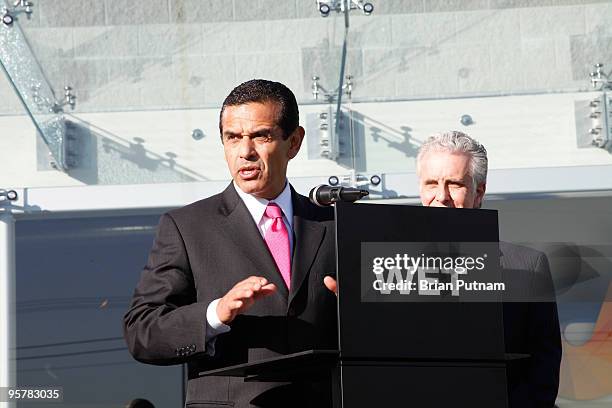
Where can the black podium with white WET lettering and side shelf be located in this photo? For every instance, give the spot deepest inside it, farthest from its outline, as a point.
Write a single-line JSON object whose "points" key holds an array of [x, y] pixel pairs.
{"points": [[418, 347]]}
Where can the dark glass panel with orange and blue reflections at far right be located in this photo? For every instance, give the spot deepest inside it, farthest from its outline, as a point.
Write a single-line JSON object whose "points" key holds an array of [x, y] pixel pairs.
{"points": [[575, 234]]}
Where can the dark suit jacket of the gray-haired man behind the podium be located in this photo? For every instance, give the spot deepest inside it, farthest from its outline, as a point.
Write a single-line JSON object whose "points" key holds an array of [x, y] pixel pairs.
{"points": [[531, 327]]}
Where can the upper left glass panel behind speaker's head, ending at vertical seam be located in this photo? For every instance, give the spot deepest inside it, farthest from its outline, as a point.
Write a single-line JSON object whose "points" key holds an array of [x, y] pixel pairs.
{"points": [[177, 59]]}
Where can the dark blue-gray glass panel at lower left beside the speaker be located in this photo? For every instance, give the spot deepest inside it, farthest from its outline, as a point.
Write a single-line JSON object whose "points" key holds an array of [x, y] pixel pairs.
{"points": [[75, 278]]}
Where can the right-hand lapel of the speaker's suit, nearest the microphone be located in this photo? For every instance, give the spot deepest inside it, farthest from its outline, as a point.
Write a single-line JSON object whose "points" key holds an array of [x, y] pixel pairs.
{"points": [[308, 236]]}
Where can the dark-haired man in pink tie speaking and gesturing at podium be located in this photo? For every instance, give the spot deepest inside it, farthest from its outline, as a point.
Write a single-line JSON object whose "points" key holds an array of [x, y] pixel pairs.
{"points": [[238, 277]]}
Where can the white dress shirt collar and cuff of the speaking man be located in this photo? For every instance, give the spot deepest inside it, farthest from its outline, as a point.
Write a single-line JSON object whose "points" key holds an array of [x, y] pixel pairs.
{"points": [[257, 208]]}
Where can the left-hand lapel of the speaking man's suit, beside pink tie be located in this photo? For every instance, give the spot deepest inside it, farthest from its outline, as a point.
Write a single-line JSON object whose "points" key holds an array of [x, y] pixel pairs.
{"points": [[239, 225]]}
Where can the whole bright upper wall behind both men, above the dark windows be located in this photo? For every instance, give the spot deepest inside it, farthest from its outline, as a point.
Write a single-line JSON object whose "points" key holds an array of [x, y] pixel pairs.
{"points": [[150, 78]]}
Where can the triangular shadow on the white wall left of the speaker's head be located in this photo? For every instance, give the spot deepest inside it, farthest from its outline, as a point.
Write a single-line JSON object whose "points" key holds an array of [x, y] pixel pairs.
{"points": [[100, 157]]}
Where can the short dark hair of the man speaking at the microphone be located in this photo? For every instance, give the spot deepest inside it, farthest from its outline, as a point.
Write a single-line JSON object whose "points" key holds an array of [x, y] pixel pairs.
{"points": [[261, 91]]}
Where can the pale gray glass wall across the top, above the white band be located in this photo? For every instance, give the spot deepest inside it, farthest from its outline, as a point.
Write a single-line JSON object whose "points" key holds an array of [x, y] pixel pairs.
{"points": [[182, 53]]}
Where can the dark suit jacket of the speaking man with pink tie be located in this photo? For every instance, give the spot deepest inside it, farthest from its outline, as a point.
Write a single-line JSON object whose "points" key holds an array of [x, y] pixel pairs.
{"points": [[200, 252]]}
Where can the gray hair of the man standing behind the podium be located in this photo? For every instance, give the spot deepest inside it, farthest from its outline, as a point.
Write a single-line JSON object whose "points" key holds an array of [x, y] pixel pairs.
{"points": [[458, 142]]}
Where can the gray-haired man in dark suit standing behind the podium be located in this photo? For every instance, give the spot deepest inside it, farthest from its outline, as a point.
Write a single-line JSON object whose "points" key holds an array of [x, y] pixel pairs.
{"points": [[452, 171]]}
